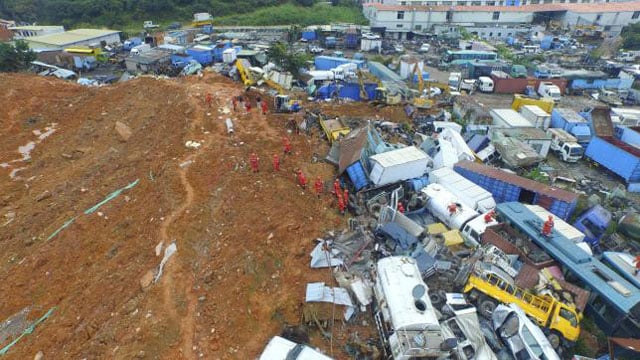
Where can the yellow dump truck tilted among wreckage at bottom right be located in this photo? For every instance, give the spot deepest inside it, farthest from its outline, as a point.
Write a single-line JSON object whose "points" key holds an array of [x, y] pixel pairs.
{"points": [[554, 315]]}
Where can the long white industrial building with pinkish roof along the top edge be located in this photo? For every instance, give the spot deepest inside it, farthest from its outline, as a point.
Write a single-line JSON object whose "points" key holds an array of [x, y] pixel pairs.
{"points": [[399, 20]]}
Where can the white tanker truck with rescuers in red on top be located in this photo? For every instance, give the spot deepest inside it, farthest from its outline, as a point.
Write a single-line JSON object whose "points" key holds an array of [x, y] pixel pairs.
{"points": [[447, 208]]}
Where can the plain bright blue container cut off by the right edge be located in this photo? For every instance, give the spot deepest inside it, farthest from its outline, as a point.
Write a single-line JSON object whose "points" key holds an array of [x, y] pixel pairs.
{"points": [[613, 154]]}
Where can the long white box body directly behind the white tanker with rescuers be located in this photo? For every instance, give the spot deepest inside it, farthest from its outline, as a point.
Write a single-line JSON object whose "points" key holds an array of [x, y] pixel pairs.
{"points": [[471, 194]]}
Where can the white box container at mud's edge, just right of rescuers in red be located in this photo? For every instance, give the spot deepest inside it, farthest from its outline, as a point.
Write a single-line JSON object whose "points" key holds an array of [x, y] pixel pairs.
{"points": [[398, 165]]}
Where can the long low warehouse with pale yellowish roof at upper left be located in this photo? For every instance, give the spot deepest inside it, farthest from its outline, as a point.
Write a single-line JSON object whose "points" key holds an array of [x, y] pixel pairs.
{"points": [[76, 37]]}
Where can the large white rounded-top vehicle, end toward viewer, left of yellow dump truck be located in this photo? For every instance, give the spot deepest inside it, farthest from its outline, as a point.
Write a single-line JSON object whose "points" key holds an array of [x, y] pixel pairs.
{"points": [[405, 318]]}
